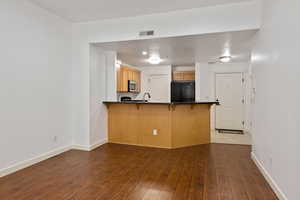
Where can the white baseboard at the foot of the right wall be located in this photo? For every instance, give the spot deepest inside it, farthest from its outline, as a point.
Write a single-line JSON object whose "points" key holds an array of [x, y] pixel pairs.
{"points": [[268, 177]]}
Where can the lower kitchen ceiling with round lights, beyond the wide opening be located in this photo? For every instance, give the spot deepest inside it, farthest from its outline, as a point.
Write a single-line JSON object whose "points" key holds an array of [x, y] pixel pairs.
{"points": [[185, 50]]}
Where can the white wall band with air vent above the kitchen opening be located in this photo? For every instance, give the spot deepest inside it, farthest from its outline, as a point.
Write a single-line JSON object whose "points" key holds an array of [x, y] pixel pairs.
{"points": [[221, 18]]}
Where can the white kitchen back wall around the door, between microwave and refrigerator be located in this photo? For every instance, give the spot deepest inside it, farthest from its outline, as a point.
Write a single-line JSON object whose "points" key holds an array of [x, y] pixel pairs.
{"points": [[148, 71]]}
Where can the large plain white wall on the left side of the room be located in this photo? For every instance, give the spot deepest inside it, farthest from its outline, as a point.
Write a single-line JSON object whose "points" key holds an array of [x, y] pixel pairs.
{"points": [[35, 62]]}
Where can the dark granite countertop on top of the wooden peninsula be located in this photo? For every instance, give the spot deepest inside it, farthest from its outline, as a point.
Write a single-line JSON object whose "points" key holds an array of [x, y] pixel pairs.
{"points": [[161, 103]]}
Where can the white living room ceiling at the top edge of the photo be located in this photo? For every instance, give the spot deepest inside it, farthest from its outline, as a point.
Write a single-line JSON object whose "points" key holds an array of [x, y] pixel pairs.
{"points": [[89, 10]]}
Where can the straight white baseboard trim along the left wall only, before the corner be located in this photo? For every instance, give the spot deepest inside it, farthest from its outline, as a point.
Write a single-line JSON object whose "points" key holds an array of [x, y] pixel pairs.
{"points": [[32, 161]]}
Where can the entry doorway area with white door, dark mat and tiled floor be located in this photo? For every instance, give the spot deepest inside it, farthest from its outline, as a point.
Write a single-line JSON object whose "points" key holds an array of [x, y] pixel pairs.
{"points": [[230, 116]]}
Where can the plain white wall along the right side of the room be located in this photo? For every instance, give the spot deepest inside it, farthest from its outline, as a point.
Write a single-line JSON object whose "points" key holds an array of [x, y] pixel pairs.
{"points": [[275, 64]]}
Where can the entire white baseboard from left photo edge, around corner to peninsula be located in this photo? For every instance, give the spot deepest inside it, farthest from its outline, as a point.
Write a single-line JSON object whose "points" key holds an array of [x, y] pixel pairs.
{"points": [[21, 165]]}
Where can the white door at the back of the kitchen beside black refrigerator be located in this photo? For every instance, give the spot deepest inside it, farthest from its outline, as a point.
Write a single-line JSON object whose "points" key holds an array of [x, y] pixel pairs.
{"points": [[159, 87]]}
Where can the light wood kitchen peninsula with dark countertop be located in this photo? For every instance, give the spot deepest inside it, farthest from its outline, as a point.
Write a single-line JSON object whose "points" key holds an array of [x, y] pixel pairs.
{"points": [[164, 125]]}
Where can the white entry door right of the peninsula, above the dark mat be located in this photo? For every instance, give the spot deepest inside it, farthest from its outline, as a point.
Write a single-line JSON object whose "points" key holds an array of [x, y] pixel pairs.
{"points": [[230, 92]]}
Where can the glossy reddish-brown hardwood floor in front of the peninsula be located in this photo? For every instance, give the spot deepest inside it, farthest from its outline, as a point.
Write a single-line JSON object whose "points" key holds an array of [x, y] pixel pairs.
{"points": [[115, 172]]}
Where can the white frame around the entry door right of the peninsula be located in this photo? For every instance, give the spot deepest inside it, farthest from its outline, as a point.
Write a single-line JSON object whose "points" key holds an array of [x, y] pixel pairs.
{"points": [[215, 96]]}
